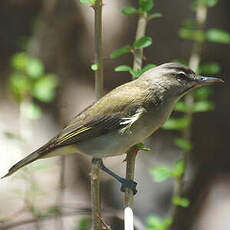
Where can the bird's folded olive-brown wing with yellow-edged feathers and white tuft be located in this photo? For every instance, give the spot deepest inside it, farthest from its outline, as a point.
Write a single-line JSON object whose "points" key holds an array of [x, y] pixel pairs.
{"points": [[104, 116]]}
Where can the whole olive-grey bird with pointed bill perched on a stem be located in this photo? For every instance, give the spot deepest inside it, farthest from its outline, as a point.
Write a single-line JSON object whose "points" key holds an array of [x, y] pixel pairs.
{"points": [[122, 118]]}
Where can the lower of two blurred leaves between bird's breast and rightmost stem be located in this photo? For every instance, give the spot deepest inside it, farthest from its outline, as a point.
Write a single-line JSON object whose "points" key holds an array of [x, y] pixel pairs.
{"points": [[176, 123]]}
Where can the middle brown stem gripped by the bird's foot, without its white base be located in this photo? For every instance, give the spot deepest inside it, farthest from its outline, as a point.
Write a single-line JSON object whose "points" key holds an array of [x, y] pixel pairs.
{"points": [[132, 153]]}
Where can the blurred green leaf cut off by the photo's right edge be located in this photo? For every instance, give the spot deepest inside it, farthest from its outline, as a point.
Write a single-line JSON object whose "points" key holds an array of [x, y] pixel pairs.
{"points": [[219, 36]]}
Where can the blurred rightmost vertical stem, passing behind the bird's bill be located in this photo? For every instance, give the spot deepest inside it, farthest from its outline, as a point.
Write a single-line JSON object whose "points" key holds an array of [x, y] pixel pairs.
{"points": [[194, 61]]}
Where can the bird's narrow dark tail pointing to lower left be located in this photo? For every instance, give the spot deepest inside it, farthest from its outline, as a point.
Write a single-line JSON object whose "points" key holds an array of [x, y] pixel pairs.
{"points": [[30, 158]]}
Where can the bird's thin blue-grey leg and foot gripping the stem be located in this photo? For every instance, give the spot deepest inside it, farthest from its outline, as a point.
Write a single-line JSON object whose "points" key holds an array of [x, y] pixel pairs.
{"points": [[124, 182]]}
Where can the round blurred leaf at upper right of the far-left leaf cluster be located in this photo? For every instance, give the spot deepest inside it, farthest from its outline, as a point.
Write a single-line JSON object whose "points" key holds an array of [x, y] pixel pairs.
{"points": [[34, 67]]}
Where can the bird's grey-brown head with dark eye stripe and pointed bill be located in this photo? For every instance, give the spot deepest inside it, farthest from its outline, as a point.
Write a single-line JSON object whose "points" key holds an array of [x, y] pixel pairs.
{"points": [[176, 80]]}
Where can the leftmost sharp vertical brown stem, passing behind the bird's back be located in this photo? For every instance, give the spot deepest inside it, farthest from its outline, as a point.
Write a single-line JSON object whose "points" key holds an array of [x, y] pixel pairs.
{"points": [[95, 171]]}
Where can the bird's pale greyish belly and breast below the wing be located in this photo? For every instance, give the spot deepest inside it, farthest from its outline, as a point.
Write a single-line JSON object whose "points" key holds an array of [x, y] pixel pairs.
{"points": [[116, 143]]}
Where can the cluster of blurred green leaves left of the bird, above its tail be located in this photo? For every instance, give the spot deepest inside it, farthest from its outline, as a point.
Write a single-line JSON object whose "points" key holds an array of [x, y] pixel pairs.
{"points": [[29, 81]]}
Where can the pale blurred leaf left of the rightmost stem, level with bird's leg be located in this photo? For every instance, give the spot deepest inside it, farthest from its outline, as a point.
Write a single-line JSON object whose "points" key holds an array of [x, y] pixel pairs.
{"points": [[160, 173]]}
